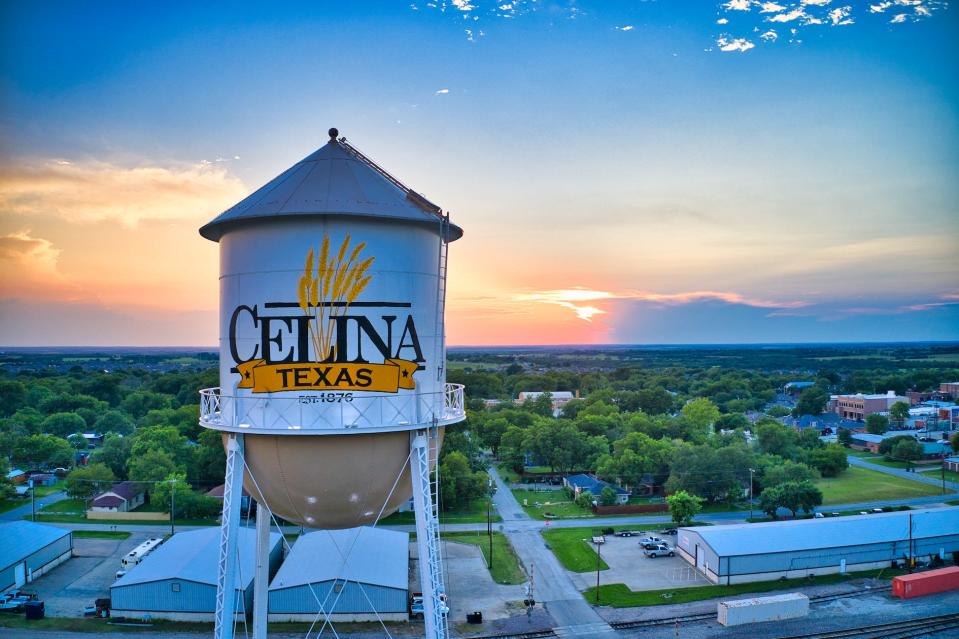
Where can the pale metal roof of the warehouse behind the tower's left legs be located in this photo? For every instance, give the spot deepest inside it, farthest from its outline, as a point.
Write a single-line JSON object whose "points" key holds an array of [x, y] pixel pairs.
{"points": [[193, 556]]}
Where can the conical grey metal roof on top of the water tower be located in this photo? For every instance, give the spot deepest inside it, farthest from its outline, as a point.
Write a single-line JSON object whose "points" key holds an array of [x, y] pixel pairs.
{"points": [[334, 180]]}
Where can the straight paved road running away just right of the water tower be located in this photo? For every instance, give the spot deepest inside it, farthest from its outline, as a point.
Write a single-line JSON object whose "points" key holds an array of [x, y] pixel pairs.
{"points": [[552, 584]]}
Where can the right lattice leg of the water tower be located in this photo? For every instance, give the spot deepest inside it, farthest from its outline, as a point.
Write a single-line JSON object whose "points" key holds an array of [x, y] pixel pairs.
{"points": [[427, 538]]}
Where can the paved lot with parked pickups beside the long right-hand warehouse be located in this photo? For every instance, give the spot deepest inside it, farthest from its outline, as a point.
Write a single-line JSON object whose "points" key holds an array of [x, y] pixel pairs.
{"points": [[628, 565]]}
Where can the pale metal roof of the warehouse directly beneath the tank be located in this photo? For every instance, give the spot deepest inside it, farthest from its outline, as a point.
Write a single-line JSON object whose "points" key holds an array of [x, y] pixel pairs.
{"points": [[379, 557]]}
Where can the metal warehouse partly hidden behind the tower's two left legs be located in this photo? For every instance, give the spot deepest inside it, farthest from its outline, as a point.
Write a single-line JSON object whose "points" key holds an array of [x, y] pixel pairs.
{"points": [[178, 579]]}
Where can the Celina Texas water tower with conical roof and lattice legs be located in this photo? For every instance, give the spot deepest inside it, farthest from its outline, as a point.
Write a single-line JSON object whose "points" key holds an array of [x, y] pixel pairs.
{"points": [[333, 394]]}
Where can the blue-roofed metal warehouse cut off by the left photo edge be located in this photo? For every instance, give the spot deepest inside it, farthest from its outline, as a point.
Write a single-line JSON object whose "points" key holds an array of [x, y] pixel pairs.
{"points": [[28, 550]]}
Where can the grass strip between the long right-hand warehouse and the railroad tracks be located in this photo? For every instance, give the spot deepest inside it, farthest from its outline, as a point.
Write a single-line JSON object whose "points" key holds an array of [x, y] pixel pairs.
{"points": [[620, 596]]}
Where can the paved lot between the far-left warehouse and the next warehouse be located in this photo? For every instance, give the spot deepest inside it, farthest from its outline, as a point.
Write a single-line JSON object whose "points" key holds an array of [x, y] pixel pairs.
{"points": [[68, 588]]}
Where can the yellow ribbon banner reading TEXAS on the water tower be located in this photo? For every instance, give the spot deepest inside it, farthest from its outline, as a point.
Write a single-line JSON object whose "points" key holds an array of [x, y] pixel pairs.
{"points": [[387, 377]]}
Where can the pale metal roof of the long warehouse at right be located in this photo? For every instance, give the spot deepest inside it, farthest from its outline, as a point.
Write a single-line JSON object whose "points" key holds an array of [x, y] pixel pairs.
{"points": [[809, 534]]}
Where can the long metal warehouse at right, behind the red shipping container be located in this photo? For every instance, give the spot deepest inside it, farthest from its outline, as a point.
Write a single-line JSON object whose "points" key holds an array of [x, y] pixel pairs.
{"points": [[763, 552]]}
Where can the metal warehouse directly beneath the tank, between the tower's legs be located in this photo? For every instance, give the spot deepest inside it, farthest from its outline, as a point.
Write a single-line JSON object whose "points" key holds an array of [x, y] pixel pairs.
{"points": [[374, 581]]}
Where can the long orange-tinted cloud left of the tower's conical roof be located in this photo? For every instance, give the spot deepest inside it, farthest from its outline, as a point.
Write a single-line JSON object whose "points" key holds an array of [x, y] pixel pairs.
{"points": [[92, 191]]}
